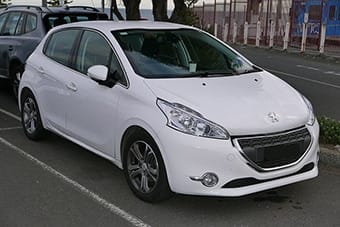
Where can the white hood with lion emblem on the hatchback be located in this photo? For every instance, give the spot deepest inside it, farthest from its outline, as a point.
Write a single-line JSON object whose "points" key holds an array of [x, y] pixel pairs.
{"points": [[244, 105]]}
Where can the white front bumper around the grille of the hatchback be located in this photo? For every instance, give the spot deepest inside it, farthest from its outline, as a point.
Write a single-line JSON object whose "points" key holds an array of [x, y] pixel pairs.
{"points": [[188, 156]]}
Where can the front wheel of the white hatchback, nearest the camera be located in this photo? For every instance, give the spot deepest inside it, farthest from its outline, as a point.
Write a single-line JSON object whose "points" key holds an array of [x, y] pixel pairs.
{"points": [[144, 168]]}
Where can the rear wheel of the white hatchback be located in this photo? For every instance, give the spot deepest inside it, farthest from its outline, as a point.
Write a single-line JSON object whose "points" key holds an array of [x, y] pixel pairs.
{"points": [[30, 117]]}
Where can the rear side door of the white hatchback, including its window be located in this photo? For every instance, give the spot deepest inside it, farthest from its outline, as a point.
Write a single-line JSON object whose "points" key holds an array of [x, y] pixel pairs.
{"points": [[54, 72]]}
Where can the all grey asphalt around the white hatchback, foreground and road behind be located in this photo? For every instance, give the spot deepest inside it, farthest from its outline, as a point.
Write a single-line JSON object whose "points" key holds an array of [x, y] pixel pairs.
{"points": [[57, 183]]}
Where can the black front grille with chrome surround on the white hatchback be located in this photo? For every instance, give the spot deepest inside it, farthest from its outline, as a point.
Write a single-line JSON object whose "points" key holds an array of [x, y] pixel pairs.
{"points": [[275, 150]]}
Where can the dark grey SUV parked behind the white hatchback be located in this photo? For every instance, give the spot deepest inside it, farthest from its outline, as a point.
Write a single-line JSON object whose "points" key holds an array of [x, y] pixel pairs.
{"points": [[23, 27]]}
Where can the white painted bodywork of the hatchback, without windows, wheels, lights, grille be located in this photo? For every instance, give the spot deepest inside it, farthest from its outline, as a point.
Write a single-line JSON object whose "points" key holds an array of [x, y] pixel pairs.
{"points": [[96, 117]]}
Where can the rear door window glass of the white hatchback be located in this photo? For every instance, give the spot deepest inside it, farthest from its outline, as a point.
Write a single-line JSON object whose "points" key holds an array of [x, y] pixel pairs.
{"points": [[60, 46]]}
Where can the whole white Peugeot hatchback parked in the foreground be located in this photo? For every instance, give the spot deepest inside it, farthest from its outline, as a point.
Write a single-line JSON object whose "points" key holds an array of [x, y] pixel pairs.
{"points": [[177, 109]]}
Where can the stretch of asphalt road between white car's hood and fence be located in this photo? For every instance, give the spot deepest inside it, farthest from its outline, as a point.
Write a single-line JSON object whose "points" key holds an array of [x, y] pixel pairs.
{"points": [[316, 78]]}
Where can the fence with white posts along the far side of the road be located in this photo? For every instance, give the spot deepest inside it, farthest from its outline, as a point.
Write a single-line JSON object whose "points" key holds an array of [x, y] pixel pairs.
{"points": [[281, 23]]}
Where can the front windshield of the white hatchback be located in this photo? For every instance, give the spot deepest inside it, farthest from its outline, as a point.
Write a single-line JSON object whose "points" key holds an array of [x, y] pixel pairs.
{"points": [[179, 53]]}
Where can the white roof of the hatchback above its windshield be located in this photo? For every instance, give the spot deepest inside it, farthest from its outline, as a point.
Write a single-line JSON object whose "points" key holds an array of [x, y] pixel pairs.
{"points": [[119, 25]]}
